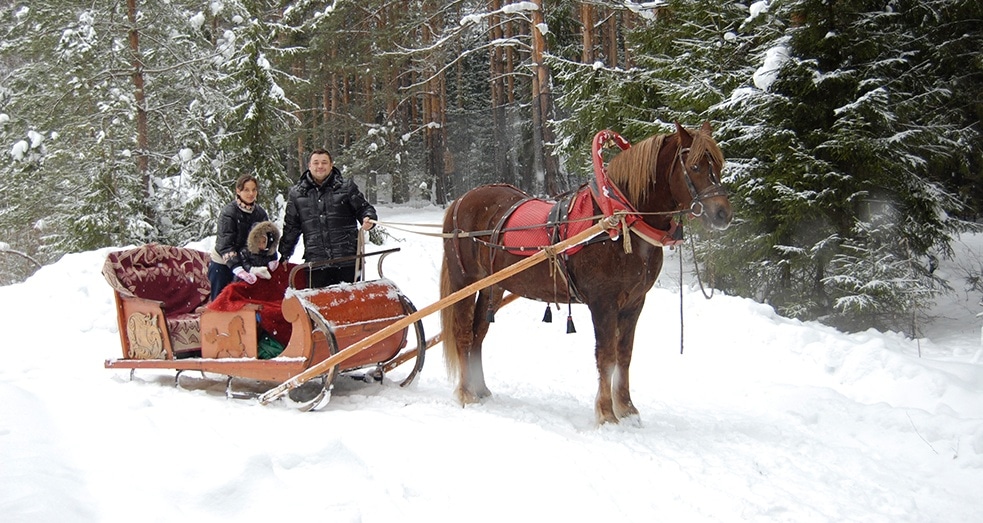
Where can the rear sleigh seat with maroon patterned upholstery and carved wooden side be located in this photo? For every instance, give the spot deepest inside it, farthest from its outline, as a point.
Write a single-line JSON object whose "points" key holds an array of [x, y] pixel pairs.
{"points": [[160, 295]]}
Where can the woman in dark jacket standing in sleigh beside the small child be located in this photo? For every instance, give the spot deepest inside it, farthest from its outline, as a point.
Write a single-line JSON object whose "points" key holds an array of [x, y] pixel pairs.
{"points": [[234, 224]]}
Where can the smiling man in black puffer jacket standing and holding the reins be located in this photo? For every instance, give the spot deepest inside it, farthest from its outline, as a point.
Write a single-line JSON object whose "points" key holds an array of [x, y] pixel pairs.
{"points": [[326, 208]]}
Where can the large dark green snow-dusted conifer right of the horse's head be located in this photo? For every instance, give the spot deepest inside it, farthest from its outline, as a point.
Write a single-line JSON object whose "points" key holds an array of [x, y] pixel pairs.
{"points": [[840, 216]]}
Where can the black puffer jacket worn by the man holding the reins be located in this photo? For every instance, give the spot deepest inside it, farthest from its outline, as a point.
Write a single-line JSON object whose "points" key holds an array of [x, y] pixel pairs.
{"points": [[328, 215]]}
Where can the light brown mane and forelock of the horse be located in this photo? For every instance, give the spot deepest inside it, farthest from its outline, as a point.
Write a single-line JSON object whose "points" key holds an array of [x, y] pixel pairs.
{"points": [[634, 170]]}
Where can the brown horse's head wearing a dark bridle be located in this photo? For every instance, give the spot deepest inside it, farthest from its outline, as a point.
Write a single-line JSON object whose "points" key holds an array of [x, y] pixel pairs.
{"points": [[694, 178]]}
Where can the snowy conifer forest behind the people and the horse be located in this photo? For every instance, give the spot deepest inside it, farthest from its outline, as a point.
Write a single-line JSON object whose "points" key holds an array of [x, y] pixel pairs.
{"points": [[851, 127]]}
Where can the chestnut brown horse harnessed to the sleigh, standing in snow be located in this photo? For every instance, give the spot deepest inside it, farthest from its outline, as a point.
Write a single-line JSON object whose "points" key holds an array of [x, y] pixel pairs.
{"points": [[661, 178]]}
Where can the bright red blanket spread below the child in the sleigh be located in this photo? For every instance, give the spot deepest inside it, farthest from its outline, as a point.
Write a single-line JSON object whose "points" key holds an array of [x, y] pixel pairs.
{"points": [[268, 293]]}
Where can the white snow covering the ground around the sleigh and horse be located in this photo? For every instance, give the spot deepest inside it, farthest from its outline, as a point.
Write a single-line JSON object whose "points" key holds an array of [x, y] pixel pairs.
{"points": [[762, 418]]}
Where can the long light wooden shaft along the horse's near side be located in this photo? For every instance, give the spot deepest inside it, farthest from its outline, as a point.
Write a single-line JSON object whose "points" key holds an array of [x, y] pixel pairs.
{"points": [[441, 304]]}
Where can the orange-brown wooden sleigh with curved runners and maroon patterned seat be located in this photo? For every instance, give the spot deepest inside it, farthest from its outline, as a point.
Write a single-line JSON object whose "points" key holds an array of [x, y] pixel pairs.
{"points": [[266, 332]]}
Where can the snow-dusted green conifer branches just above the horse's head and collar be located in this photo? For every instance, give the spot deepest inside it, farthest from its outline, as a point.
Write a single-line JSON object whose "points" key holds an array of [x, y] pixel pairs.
{"points": [[678, 59]]}
